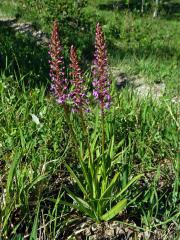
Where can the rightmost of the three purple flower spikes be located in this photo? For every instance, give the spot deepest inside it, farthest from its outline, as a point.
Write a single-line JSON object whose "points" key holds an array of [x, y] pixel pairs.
{"points": [[101, 82]]}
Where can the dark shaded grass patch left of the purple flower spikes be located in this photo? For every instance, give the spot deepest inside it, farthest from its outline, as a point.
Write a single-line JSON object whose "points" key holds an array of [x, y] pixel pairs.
{"points": [[20, 55]]}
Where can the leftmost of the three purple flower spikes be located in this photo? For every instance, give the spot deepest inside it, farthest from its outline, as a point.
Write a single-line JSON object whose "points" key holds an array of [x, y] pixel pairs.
{"points": [[59, 82]]}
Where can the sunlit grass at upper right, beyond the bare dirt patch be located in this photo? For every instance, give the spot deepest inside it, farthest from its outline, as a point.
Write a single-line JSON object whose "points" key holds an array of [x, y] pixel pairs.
{"points": [[143, 46]]}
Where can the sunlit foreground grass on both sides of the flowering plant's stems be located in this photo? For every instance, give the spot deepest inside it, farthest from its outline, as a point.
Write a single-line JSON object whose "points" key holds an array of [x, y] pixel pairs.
{"points": [[32, 154]]}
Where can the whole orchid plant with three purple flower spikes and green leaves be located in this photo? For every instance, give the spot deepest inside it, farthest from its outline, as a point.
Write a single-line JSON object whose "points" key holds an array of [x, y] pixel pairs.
{"points": [[101, 194]]}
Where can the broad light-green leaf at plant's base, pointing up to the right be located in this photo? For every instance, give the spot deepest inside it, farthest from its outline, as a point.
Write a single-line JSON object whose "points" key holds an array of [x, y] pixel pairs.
{"points": [[115, 210]]}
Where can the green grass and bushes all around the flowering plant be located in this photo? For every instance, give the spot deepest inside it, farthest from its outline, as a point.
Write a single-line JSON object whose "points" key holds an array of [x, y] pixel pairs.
{"points": [[31, 154]]}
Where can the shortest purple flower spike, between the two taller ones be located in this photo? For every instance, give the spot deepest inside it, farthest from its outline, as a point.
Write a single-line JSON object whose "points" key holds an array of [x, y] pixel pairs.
{"points": [[78, 93]]}
